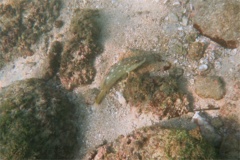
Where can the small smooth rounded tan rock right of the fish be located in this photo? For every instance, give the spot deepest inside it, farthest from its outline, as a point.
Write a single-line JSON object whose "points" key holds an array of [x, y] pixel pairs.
{"points": [[210, 87]]}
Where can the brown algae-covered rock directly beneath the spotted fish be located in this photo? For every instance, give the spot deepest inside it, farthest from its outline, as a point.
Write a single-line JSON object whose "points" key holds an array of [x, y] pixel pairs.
{"points": [[157, 95]]}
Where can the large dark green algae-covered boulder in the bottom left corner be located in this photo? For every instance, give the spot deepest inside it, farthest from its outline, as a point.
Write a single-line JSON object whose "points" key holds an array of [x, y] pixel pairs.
{"points": [[36, 122]]}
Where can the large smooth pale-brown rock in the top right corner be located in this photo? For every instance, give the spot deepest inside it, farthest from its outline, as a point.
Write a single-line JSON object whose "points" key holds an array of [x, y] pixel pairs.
{"points": [[219, 20]]}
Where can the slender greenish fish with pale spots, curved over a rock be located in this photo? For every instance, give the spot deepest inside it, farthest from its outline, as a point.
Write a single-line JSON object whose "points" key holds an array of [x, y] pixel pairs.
{"points": [[118, 71]]}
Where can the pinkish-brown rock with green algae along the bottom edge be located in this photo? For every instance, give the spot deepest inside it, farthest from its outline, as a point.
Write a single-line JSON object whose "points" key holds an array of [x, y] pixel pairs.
{"points": [[156, 143]]}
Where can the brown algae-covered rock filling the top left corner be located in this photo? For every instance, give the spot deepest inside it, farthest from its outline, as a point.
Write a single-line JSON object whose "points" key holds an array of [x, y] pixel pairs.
{"points": [[22, 22]]}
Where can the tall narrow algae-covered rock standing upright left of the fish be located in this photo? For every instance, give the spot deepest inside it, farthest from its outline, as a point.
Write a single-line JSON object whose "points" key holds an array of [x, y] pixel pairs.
{"points": [[80, 49]]}
